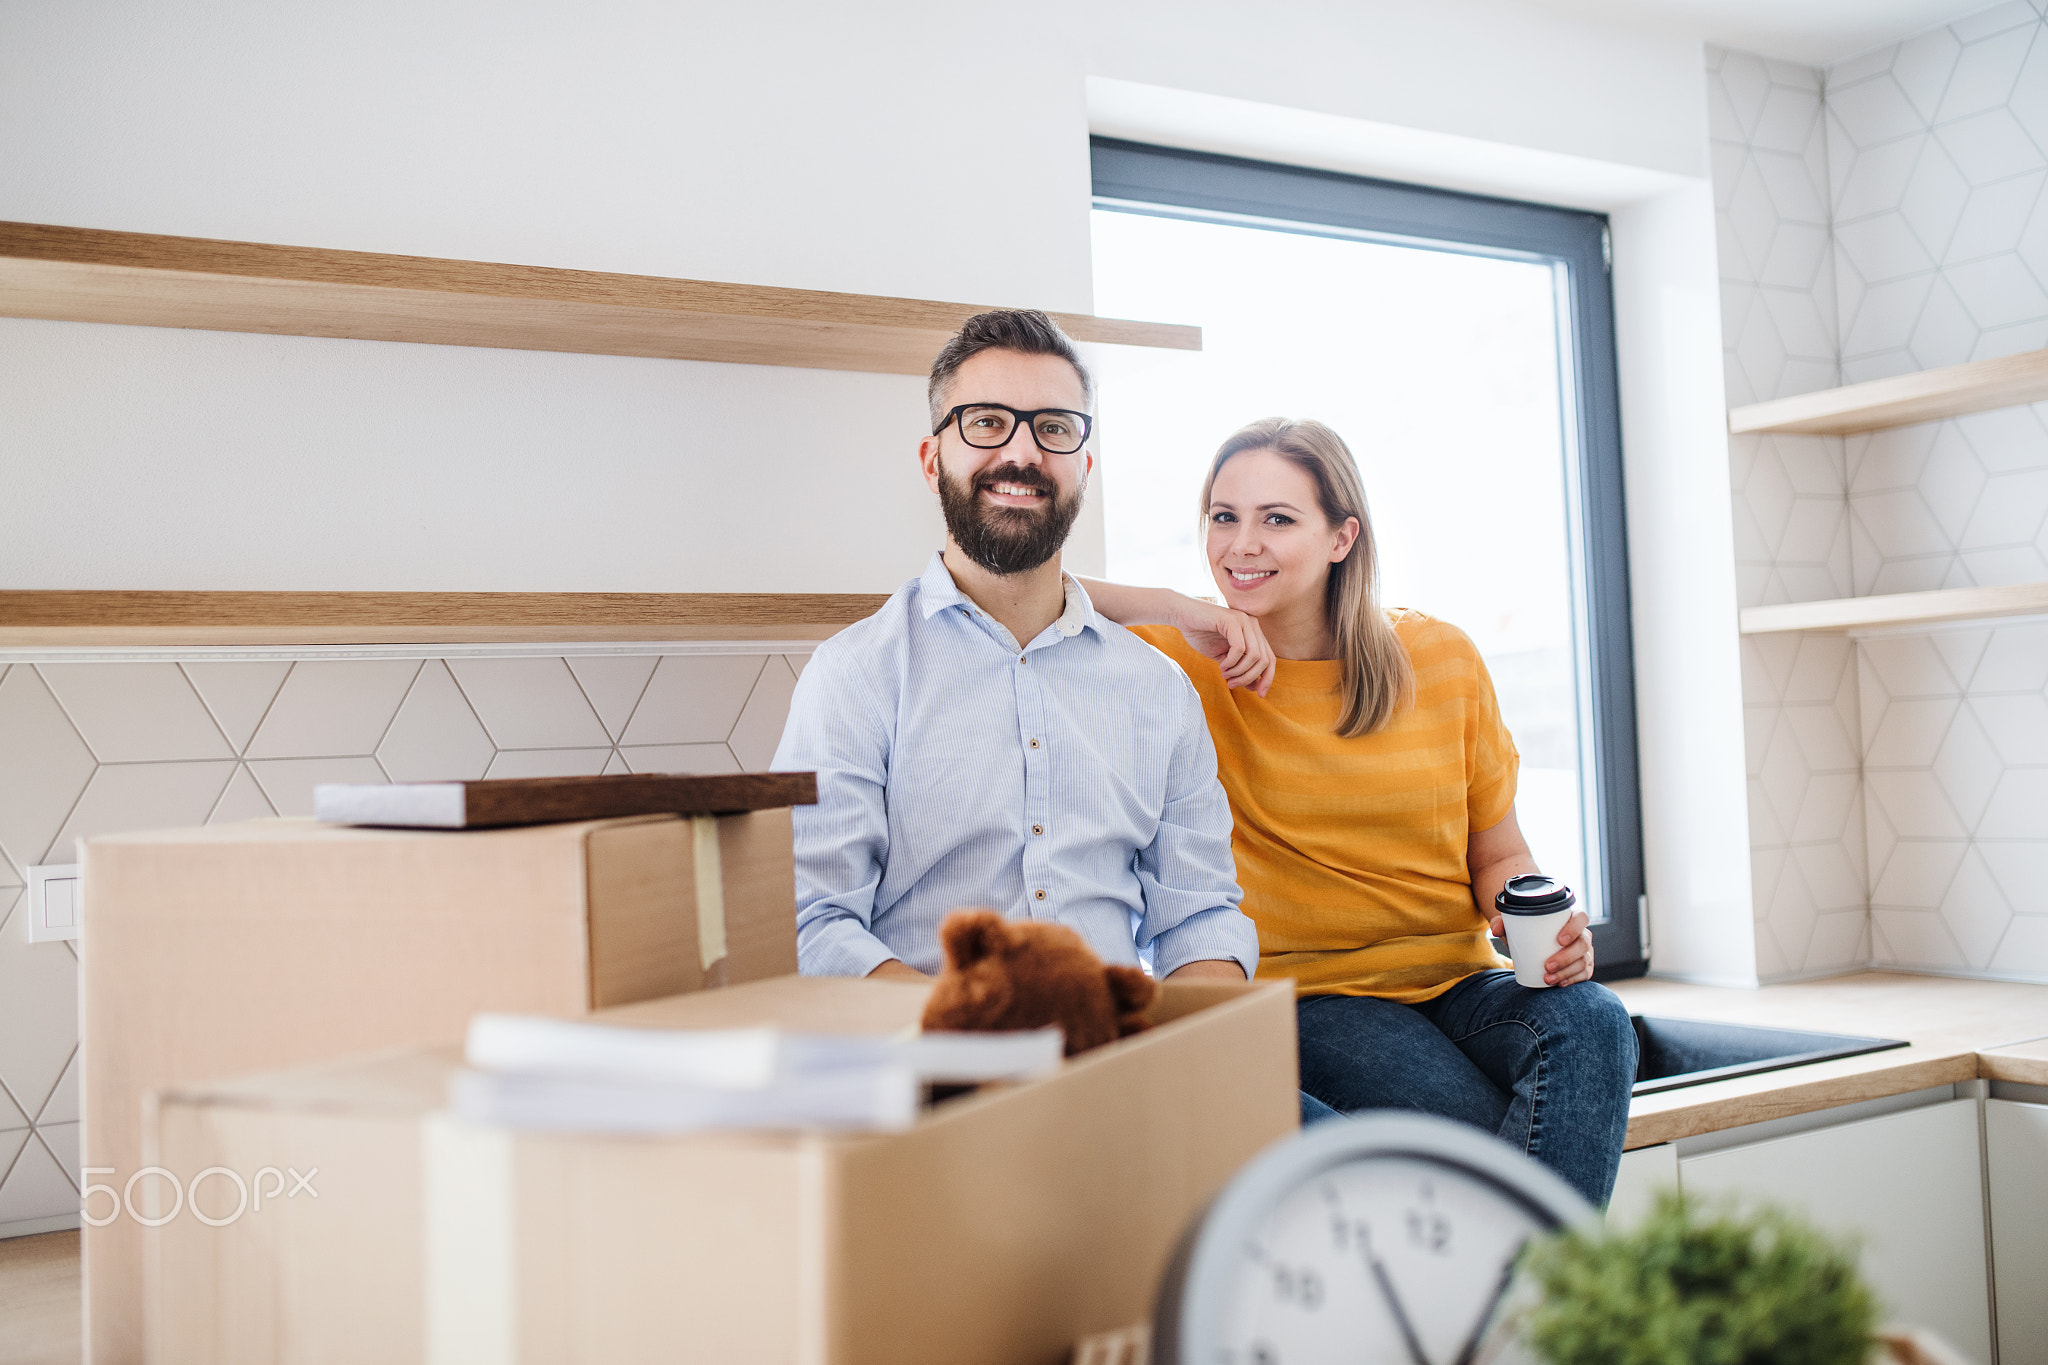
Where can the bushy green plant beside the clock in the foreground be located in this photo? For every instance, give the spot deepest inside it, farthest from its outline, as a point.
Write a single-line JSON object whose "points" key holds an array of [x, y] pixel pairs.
{"points": [[1701, 1286]]}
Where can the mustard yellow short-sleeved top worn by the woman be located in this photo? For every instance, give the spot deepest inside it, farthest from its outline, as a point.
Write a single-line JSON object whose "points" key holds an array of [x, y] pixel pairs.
{"points": [[1353, 850]]}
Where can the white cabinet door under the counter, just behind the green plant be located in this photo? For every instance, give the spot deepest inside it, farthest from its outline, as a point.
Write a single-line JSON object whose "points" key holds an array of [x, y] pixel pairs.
{"points": [[1910, 1186]]}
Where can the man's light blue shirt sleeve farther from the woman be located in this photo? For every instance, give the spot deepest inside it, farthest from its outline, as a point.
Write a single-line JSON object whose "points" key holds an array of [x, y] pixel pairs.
{"points": [[843, 842]]}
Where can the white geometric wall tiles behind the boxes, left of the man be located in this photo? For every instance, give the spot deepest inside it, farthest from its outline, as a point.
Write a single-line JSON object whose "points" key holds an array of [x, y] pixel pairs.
{"points": [[108, 748]]}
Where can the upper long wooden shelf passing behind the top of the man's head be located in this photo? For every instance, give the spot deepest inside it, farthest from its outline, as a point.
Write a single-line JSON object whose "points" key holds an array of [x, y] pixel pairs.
{"points": [[118, 277]]}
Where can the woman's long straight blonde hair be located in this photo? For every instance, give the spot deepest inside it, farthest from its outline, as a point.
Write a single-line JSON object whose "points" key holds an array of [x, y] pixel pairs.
{"points": [[1377, 674]]}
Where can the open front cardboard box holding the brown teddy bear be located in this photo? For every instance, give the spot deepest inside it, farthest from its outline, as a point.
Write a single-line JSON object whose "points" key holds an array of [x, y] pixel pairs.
{"points": [[998, 1231]]}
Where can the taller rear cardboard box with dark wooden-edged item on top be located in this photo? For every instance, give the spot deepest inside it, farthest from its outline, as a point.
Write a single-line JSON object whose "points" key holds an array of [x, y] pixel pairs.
{"points": [[237, 949]]}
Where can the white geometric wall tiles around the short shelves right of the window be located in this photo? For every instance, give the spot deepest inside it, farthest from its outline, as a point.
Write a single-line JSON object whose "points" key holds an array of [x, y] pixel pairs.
{"points": [[1879, 218]]}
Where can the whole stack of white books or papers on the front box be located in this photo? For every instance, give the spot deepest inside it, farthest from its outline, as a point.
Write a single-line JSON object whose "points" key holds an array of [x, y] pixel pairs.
{"points": [[591, 1077]]}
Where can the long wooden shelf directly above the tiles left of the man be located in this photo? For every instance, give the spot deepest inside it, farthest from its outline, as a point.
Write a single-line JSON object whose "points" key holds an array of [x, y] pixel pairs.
{"points": [[128, 619]]}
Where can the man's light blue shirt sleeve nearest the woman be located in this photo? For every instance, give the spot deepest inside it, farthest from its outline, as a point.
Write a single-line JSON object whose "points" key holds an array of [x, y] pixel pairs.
{"points": [[1187, 873]]}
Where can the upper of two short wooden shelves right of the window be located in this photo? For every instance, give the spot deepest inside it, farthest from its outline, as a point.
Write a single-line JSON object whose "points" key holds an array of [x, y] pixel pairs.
{"points": [[1904, 400]]}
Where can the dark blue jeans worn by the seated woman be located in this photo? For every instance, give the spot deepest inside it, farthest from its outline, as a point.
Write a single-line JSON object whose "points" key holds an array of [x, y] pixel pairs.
{"points": [[1545, 1071]]}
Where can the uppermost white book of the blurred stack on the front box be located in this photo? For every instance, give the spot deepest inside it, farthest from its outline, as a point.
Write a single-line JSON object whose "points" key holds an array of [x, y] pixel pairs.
{"points": [[749, 1059]]}
